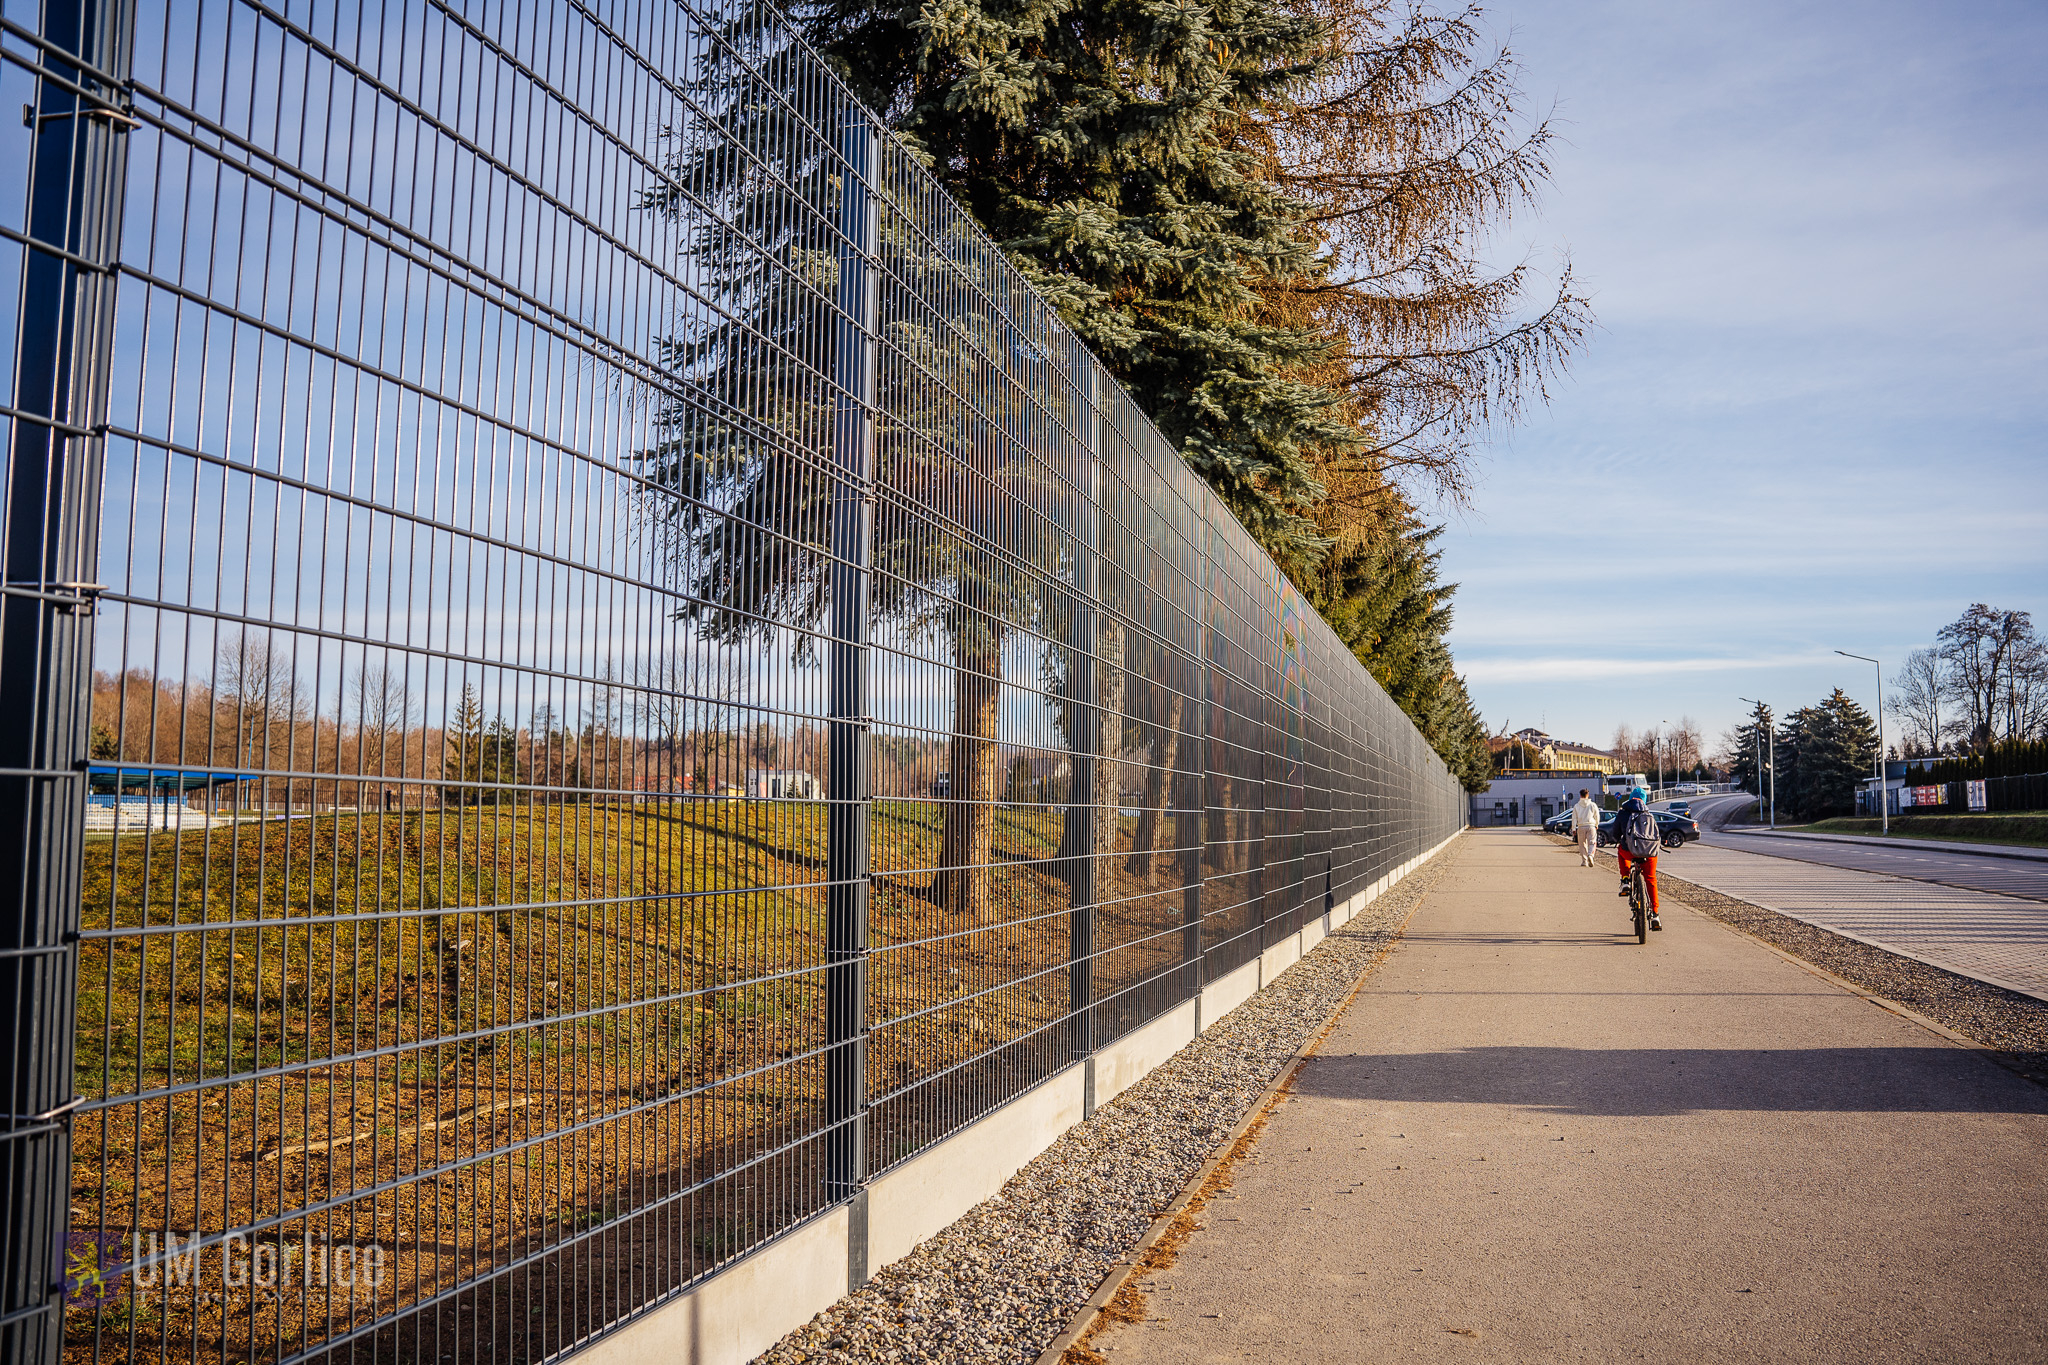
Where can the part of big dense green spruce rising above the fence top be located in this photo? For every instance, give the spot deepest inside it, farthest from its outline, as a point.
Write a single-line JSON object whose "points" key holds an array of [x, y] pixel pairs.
{"points": [[1097, 144]]}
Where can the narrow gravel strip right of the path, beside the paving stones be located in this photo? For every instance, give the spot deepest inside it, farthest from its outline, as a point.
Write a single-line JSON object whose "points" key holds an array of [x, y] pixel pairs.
{"points": [[2014, 1026]]}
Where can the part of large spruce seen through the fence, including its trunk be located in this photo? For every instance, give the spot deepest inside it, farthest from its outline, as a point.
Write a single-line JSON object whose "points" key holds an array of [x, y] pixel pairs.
{"points": [[740, 488]]}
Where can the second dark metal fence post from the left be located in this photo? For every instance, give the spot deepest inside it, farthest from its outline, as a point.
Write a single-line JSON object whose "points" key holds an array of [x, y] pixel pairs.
{"points": [[847, 785]]}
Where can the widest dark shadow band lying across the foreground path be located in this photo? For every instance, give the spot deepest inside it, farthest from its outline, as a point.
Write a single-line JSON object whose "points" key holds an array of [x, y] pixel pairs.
{"points": [[1664, 1082]]}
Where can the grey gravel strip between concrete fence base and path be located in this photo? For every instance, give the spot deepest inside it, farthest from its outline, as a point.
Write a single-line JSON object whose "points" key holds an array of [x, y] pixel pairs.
{"points": [[1005, 1280]]}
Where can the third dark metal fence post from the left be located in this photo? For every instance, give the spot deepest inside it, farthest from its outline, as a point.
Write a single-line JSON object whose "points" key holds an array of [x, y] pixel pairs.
{"points": [[1078, 836]]}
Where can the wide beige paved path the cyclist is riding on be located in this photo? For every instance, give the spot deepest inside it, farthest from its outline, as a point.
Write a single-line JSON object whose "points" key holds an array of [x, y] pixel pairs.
{"points": [[1535, 1141]]}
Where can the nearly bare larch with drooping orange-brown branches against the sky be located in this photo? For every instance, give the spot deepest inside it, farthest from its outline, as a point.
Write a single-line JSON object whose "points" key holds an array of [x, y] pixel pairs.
{"points": [[1408, 142]]}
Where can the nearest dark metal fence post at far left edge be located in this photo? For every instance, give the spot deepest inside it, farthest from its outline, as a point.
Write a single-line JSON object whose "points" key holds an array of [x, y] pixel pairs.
{"points": [[73, 214]]}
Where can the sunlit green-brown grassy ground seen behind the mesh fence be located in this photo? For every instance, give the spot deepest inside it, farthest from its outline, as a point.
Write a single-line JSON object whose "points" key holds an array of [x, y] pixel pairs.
{"points": [[472, 1034]]}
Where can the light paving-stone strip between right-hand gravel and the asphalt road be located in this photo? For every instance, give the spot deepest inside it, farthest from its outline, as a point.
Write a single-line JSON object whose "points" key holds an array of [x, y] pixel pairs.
{"points": [[1979, 934]]}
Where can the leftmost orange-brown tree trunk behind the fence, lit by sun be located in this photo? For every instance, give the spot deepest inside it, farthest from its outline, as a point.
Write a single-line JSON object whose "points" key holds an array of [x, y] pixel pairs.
{"points": [[970, 832]]}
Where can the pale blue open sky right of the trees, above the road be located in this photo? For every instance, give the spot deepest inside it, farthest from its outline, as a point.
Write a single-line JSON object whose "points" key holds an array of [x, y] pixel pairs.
{"points": [[1816, 412]]}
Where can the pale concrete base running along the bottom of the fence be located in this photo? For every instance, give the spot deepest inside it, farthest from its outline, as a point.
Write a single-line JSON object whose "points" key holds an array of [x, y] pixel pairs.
{"points": [[749, 1307]]}
